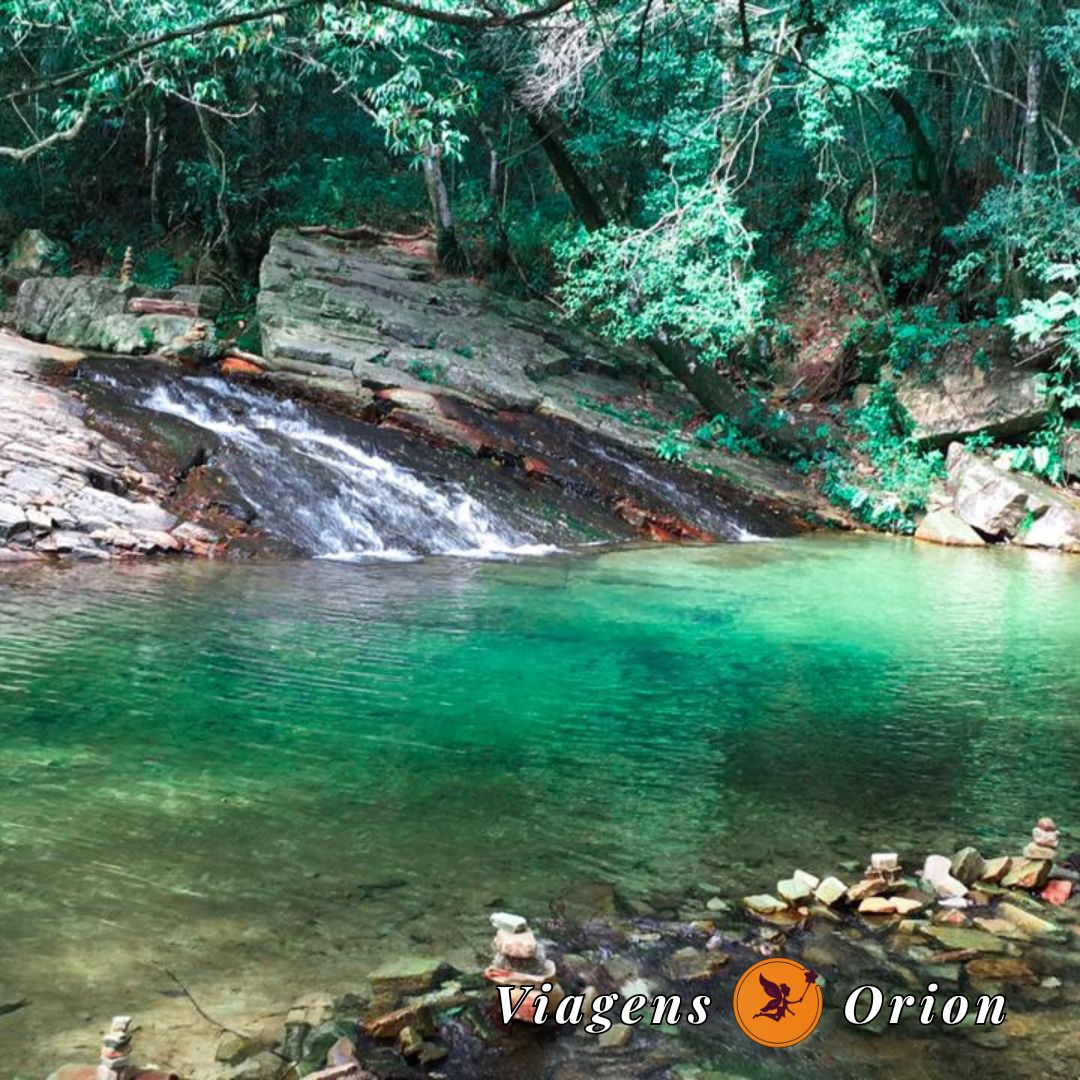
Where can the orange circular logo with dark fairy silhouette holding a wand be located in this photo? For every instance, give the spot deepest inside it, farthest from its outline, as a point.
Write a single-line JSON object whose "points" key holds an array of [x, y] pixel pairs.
{"points": [[778, 1003]]}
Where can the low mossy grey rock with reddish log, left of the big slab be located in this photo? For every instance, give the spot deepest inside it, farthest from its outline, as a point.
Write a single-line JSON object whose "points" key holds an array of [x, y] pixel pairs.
{"points": [[98, 314]]}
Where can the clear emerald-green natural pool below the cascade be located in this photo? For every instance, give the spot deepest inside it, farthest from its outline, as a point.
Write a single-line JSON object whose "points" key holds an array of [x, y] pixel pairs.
{"points": [[269, 778]]}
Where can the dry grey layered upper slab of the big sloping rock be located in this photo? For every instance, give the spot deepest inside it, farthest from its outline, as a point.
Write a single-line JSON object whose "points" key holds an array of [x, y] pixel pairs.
{"points": [[382, 316]]}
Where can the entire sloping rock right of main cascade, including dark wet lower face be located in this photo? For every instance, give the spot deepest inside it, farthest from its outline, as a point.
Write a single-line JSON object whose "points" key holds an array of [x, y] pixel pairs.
{"points": [[465, 369]]}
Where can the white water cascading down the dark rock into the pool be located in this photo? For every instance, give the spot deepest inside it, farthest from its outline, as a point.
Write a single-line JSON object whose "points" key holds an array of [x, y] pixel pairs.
{"points": [[331, 496]]}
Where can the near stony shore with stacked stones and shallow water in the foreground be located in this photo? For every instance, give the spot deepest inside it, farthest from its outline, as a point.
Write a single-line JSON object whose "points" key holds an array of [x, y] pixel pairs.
{"points": [[1006, 926]]}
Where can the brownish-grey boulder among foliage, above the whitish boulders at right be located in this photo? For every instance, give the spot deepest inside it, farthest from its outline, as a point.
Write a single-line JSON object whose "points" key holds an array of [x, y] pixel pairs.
{"points": [[1000, 399]]}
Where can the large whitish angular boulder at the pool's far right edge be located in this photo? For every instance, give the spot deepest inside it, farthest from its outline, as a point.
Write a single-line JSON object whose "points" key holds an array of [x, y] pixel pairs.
{"points": [[1010, 506]]}
